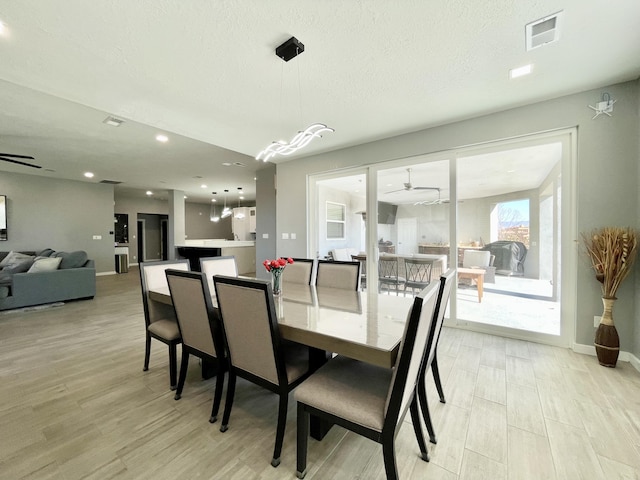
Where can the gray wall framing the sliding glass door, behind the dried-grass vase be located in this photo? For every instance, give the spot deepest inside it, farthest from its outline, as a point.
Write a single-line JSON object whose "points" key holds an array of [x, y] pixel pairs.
{"points": [[607, 179]]}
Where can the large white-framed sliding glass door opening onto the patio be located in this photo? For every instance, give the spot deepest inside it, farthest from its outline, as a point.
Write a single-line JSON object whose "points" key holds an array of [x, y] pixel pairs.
{"points": [[502, 214]]}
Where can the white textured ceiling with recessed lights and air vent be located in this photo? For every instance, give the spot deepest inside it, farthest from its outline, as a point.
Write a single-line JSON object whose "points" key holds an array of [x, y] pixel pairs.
{"points": [[206, 74]]}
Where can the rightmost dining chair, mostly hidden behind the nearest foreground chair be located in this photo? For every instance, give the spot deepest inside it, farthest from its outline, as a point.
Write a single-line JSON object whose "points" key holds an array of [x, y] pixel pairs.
{"points": [[430, 354]]}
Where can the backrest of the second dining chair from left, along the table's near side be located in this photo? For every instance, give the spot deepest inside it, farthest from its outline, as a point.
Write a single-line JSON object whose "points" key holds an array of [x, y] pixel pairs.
{"points": [[192, 303]]}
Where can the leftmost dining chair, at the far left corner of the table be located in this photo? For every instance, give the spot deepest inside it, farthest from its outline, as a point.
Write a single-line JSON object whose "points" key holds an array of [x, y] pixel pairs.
{"points": [[160, 321]]}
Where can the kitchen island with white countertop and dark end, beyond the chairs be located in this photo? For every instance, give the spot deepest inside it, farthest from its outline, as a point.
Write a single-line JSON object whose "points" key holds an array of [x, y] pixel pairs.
{"points": [[244, 251]]}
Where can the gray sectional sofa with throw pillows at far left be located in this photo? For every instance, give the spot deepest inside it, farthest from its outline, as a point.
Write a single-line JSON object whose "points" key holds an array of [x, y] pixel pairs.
{"points": [[74, 277]]}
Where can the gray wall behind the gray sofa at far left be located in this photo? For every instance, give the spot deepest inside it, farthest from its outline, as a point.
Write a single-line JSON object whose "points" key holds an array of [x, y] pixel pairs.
{"points": [[60, 214]]}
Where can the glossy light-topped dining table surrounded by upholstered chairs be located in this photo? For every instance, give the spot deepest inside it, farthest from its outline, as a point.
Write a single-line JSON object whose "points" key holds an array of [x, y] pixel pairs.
{"points": [[365, 326]]}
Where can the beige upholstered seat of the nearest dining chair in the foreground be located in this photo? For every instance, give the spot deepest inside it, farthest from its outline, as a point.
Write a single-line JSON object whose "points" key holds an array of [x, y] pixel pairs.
{"points": [[361, 387]]}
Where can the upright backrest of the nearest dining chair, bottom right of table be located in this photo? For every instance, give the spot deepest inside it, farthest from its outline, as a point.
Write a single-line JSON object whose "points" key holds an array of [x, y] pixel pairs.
{"points": [[411, 353]]}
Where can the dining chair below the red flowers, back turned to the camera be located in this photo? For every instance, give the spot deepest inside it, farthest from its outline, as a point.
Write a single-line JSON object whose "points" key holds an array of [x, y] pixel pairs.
{"points": [[255, 349]]}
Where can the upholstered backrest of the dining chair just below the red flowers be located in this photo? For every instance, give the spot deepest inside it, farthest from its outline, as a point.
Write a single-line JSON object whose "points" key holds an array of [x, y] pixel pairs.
{"points": [[247, 312]]}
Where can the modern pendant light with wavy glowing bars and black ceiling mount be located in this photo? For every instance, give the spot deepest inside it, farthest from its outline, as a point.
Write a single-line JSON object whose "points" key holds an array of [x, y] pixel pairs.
{"points": [[288, 50]]}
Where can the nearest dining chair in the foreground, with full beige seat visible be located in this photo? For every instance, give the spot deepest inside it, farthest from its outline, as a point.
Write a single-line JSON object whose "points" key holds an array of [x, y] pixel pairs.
{"points": [[366, 399]]}
